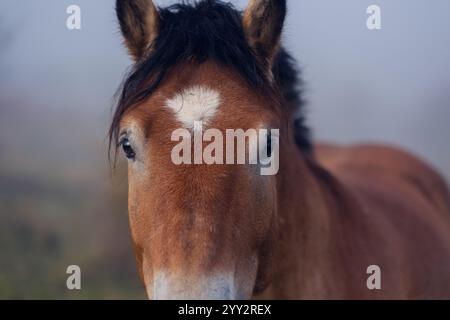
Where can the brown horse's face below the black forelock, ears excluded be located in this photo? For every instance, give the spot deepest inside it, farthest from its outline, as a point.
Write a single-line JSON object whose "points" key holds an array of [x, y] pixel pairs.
{"points": [[201, 230]]}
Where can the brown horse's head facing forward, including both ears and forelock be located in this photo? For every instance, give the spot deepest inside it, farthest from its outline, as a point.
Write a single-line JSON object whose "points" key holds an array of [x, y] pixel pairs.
{"points": [[202, 222]]}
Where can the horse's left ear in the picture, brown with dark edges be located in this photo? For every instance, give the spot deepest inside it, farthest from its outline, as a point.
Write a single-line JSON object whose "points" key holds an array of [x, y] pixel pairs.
{"points": [[139, 23]]}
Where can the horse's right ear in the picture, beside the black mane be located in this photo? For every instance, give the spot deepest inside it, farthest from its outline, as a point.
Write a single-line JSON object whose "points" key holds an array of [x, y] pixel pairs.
{"points": [[263, 23]]}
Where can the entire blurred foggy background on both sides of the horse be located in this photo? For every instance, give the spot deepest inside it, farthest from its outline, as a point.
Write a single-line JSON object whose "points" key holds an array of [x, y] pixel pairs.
{"points": [[60, 204]]}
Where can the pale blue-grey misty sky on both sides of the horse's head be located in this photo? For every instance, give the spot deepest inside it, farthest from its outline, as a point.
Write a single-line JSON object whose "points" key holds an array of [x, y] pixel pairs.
{"points": [[391, 85]]}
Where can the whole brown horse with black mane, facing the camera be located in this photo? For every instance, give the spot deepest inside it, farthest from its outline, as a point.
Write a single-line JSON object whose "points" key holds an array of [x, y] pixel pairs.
{"points": [[224, 231]]}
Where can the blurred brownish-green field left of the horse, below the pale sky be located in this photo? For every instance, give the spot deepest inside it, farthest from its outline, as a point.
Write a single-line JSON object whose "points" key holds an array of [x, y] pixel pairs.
{"points": [[59, 205]]}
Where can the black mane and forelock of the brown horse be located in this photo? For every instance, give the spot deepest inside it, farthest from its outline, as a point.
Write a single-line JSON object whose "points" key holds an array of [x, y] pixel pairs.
{"points": [[209, 30]]}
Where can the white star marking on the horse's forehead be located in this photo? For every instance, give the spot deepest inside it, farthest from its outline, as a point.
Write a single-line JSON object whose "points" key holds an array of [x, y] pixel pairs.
{"points": [[198, 103]]}
